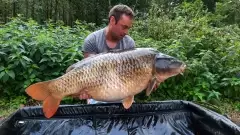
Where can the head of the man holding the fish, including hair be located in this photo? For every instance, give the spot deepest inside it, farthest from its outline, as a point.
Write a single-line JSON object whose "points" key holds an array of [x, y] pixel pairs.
{"points": [[120, 21]]}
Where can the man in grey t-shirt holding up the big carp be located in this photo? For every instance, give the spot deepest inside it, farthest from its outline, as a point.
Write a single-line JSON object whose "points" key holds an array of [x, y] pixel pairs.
{"points": [[114, 36]]}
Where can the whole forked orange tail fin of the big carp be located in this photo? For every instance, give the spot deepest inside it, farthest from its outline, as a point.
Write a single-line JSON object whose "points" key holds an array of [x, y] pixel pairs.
{"points": [[41, 91]]}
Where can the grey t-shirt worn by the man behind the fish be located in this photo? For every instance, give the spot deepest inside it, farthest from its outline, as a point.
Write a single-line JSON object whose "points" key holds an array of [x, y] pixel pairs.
{"points": [[96, 43]]}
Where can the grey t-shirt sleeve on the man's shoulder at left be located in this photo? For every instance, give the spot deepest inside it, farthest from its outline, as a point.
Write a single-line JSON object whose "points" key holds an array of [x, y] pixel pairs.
{"points": [[89, 44]]}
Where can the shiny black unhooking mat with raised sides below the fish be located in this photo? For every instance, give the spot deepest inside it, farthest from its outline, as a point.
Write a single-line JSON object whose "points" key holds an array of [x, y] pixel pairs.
{"points": [[154, 118]]}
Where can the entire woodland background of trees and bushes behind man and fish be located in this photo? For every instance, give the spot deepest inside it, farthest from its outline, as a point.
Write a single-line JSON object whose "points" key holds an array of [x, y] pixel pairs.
{"points": [[40, 39]]}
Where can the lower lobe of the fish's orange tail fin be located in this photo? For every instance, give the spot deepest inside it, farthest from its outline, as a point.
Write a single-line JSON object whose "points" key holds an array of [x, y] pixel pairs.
{"points": [[50, 106]]}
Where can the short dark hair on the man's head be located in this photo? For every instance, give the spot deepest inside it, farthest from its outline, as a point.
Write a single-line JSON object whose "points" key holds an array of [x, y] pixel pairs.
{"points": [[118, 10]]}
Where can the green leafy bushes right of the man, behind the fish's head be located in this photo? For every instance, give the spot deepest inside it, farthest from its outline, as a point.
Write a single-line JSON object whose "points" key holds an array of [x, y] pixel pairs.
{"points": [[211, 52]]}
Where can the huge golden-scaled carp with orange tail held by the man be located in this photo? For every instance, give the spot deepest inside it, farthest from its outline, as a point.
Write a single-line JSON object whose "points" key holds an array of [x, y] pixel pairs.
{"points": [[111, 76]]}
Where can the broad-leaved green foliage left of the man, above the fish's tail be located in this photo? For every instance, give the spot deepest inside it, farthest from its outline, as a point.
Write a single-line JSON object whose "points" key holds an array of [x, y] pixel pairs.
{"points": [[31, 53]]}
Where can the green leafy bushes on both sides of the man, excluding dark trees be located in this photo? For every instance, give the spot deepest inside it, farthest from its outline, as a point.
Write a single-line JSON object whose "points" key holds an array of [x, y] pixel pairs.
{"points": [[205, 41]]}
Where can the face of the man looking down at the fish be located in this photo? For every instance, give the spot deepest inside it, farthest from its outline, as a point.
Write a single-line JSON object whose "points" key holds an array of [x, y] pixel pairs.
{"points": [[120, 29]]}
